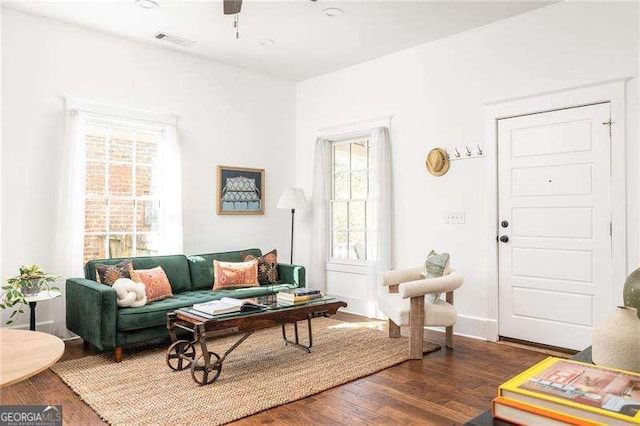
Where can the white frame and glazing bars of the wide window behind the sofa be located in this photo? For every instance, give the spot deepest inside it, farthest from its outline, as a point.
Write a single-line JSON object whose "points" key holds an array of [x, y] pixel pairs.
{"points": [[134, 127]]}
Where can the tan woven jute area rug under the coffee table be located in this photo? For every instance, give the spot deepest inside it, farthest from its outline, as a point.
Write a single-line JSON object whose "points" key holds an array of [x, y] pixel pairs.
{"points": [[261, 373]]}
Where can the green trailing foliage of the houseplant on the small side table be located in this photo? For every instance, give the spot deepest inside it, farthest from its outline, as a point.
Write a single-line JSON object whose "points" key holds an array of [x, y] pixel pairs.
{"points": [[30, 282]]}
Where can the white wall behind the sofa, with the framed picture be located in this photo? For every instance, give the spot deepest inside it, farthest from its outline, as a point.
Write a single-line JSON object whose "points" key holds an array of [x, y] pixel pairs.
{"points": [[227, 116]]}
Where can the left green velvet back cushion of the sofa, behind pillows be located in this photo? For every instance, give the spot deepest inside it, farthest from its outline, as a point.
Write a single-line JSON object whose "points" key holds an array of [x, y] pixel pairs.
{"points": [[176, 267]]}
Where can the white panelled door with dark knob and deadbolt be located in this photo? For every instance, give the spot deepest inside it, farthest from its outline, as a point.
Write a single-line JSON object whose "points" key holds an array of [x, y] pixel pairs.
{"points": [[554, 177]]}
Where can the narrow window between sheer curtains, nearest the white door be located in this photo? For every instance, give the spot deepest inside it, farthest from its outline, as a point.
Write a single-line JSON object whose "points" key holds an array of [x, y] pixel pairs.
{"points": [[349, 193]]}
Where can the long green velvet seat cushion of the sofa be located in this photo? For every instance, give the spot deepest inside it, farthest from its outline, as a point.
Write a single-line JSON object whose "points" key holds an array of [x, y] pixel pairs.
{"points": [[155, 314]]}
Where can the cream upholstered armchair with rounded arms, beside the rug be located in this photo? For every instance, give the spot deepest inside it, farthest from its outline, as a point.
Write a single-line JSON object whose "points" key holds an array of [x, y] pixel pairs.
{"points": [[402, 299]]}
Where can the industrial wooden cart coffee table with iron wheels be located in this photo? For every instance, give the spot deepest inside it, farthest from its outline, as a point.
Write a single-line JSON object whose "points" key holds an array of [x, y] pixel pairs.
{"points": [[206, 368]]}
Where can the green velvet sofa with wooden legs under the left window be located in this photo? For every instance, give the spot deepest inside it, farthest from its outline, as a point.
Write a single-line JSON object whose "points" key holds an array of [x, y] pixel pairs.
{"points": [[92, 312]]}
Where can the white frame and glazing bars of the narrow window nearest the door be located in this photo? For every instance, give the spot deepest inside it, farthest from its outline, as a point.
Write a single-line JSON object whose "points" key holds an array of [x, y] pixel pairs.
{"points": [[351, 140]]}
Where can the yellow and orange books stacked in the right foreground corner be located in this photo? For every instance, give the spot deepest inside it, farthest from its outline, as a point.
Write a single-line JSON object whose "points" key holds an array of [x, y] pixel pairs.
{"points": [[559, 392]]}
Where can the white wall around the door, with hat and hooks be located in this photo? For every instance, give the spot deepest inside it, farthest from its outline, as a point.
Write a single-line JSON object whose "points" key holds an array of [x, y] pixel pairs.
{"points": [[435, 93]]}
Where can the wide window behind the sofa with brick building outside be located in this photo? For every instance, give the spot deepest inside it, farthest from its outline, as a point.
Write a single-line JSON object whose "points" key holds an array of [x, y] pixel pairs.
{"points": [[122, 201]]}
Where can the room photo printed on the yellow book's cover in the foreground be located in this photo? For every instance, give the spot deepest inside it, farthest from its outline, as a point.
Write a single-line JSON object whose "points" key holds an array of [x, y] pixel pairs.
{"points": [[590, 385]]}
